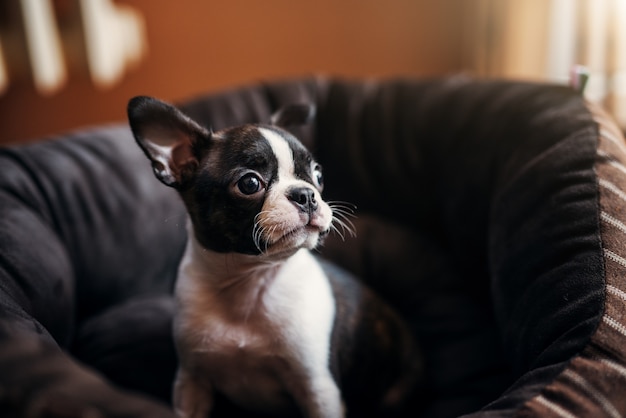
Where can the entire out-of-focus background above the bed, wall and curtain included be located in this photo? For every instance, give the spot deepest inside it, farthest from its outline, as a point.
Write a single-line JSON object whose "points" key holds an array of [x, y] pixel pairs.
{"points": [[67, 64]]}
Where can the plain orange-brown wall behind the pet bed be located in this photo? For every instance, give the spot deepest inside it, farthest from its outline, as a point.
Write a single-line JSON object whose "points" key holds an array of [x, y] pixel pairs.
{"points": [[200, 46]]}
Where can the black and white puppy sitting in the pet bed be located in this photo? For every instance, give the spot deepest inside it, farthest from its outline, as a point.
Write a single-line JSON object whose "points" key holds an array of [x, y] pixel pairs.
{"points": [[260, 320]]}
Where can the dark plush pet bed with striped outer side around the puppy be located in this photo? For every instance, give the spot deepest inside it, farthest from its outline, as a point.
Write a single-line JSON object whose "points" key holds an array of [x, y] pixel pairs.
{"points": [[485, 216]]}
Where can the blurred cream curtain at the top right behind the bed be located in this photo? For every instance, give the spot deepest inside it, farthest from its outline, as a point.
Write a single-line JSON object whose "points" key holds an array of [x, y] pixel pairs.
{"points": [[544, 39]]}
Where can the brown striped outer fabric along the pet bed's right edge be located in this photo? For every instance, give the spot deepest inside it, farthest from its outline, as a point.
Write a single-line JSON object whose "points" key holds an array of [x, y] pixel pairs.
{"points": [[594, 383]]}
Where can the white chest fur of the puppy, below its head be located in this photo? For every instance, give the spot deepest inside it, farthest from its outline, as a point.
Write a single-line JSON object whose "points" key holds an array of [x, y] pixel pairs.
{"points": [[259, 333]]}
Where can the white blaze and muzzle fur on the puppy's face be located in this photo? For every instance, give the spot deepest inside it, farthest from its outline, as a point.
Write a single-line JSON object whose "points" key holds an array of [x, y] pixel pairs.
{"points": [[280, 218]]}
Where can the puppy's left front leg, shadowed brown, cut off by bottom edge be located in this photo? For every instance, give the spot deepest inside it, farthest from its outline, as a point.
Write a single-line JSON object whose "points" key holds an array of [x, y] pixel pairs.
{"points": [[192, 399]]}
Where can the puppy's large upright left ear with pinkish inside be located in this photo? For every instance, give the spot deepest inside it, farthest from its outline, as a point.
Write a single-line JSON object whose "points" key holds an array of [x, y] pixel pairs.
{"points": [[170, 139]]}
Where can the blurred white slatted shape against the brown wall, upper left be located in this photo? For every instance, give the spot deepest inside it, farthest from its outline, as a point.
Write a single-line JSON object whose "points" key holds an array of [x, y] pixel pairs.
{"points": [[110, 39]]}
